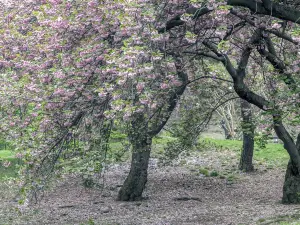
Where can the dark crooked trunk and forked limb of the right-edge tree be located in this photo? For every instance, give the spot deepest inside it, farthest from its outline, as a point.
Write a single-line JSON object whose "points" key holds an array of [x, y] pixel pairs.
{"points": [[291, 190]]}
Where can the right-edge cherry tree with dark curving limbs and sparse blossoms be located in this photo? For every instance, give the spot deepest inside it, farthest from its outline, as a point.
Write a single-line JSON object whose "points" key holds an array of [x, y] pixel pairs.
{"points": [[228, 34]]}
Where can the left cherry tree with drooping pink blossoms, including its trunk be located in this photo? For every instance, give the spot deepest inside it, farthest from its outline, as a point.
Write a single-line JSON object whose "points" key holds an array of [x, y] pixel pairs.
{"points": [[73, 69]]}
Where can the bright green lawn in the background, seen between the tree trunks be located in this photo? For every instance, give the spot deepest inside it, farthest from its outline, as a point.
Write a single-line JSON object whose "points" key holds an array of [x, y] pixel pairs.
{"points": [[274, 155]]}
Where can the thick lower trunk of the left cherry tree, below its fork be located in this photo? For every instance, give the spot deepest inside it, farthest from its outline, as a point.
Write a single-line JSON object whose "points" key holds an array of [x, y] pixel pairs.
{"points": [[135, 182]]}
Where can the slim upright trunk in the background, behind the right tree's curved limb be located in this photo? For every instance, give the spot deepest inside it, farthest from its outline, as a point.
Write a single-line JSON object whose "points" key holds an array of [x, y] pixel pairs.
{"points": [[248, 137]]}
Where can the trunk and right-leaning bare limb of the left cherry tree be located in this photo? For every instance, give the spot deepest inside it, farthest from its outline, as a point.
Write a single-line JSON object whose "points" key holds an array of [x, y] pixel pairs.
{"points": [[141, 134]]}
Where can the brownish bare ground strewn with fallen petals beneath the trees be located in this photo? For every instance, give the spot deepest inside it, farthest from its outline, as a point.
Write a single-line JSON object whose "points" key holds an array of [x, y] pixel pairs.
{"points": [[174, 195]]}
